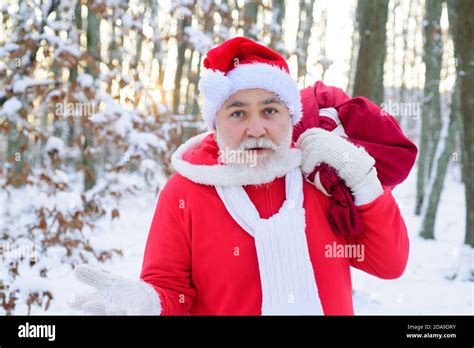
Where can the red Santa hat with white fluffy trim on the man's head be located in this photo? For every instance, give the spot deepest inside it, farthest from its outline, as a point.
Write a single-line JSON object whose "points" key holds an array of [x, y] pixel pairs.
{"points": [[240, 63]]}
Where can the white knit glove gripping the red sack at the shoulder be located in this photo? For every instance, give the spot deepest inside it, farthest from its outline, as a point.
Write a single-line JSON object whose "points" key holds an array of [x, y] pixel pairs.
{"points": [[353, 164]]}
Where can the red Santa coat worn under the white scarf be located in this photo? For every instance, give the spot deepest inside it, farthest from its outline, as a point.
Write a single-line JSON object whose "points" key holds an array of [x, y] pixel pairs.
{"points": [[201, 262]]}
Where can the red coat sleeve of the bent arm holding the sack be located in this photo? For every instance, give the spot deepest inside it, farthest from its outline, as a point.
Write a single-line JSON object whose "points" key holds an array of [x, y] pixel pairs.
{"points": [[385, 238]]}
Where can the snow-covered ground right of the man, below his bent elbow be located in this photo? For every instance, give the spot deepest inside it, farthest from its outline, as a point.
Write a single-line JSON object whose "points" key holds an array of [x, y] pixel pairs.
{"points": [[424, 287]]}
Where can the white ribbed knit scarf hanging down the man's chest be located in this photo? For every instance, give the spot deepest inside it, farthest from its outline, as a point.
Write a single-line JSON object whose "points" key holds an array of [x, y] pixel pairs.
{"points": [[286, 272]]}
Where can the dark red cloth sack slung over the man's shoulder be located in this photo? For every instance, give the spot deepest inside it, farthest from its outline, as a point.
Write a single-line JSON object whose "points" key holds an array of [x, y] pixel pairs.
{"points": [[365, 124]]}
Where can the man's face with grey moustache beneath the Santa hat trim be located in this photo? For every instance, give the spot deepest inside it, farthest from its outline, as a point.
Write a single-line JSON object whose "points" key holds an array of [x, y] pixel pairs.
{"points": [[254, 120]]}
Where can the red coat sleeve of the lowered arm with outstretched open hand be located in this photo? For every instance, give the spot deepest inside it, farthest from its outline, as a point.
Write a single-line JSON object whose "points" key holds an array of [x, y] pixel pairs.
{"points": [[167, 259]]}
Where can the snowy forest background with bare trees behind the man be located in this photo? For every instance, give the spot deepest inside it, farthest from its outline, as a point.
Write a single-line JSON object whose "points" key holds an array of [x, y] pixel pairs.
{"points": [[95, 96]]}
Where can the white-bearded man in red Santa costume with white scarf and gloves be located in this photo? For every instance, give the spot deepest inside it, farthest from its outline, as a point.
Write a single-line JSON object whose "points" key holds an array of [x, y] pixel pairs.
{"points": [[240, 229]]}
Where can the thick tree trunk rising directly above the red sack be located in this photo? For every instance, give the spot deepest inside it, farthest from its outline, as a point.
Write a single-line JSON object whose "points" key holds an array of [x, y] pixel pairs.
{"points": [[372, 18]]}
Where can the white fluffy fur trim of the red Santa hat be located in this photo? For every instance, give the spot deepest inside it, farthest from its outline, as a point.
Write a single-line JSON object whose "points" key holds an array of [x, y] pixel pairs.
{"points": [[216, 88]]}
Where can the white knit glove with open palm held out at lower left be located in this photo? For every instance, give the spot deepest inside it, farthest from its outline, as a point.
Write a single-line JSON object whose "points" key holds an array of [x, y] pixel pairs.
{"points": [[115, 295]]}
